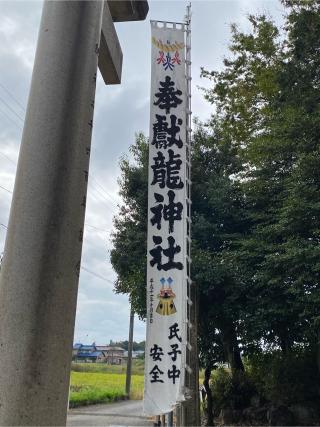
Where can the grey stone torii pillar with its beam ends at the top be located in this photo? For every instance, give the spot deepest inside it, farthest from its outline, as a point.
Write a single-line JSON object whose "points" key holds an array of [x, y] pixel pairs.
{"points": [[40, 270]]}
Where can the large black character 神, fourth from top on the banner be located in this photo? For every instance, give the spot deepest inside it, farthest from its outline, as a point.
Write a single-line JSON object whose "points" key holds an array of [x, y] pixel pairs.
{"points": [[171, 212]]}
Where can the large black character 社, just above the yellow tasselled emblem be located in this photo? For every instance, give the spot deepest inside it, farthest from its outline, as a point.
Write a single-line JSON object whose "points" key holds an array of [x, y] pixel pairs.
{"points": [[170, 252]]}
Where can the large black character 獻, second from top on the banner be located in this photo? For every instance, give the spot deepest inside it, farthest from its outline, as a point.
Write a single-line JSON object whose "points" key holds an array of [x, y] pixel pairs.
{"points": [[165, 136]]}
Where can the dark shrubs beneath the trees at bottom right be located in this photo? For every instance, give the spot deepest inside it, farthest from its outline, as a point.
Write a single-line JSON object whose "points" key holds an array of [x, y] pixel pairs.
{"points": [[274, 378]]}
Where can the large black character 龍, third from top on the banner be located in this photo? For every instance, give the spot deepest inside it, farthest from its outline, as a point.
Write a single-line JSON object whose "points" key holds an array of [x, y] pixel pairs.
{"points": [[166, 173]]}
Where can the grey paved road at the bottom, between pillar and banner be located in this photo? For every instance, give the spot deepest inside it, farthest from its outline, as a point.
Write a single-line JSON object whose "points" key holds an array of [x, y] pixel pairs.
{"points": [[124, 413]]}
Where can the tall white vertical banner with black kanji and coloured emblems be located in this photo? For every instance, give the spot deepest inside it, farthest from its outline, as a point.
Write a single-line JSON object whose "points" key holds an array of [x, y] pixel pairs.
{"points": [[167, 267]]}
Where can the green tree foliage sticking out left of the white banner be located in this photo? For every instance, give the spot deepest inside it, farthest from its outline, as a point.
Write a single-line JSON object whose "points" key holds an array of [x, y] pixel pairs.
{"points": [[128, 256]]}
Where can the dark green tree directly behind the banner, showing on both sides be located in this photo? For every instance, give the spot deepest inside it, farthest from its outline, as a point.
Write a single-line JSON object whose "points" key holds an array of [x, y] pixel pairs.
{"points": [[218, 221]]}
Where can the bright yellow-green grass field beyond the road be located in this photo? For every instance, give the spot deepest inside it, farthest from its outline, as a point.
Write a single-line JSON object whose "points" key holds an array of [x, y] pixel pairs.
{"points": [[101, 383]]}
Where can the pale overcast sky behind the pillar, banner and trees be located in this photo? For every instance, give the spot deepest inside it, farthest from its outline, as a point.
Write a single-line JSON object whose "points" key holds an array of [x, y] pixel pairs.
{"points": [[120, 111]]}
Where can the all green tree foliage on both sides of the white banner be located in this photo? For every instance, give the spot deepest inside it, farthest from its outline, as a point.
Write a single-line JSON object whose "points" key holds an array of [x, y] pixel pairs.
{"points": [[255, 193]]}
